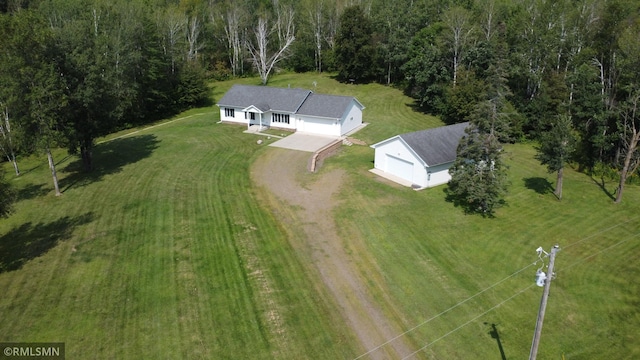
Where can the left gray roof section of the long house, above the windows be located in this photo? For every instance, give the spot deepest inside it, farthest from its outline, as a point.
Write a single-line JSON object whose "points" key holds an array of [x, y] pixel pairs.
{"points": [[265, 98]]}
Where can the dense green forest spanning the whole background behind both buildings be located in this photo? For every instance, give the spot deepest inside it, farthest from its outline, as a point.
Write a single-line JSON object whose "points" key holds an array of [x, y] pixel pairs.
{"points": [[74, 70]]}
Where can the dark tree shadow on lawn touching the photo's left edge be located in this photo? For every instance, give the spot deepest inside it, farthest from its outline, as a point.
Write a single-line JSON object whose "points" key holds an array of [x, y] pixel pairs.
{"points": [[27, 241]]}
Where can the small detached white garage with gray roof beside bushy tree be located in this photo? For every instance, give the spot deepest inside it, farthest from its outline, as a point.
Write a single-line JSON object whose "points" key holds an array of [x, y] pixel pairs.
{"points": [[420, 159]]}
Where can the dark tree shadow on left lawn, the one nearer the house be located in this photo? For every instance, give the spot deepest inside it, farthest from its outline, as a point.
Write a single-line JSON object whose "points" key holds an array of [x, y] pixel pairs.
{"points": [[109, 158]]}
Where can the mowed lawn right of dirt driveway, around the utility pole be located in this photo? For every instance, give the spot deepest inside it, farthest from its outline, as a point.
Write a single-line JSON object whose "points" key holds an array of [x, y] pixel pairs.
{"points": [[444, 269]]}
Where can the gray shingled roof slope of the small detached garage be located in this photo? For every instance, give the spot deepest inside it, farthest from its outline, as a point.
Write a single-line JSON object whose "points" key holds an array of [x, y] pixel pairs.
{"points": [[436, 146]]}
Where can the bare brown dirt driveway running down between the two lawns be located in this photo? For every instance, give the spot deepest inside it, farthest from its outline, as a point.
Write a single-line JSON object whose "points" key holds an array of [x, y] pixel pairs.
{"points": [[308, 210]]}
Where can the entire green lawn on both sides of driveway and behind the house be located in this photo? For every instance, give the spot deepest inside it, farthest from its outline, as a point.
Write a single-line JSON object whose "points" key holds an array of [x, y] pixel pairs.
{"points": [[166, 252]]}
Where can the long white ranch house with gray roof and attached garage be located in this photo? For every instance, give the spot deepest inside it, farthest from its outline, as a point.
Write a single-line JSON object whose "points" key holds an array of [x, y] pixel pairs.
{"points": [[293, 109]]}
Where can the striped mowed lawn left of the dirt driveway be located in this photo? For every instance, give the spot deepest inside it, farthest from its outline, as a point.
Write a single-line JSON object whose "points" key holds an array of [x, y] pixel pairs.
{"points": [[161, 252]]}
